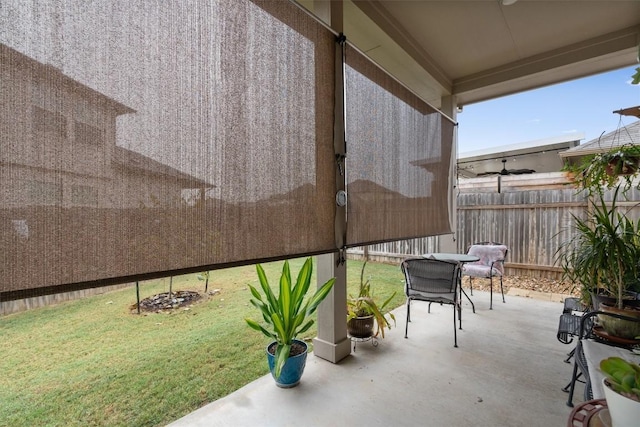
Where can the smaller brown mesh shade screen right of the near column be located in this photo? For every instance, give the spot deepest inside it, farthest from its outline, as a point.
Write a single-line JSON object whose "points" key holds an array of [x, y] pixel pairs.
{"points": [[398, 158]]}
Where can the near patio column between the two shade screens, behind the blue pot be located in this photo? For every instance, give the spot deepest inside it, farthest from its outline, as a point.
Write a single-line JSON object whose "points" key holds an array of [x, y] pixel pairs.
{"points": [[332, 343]]}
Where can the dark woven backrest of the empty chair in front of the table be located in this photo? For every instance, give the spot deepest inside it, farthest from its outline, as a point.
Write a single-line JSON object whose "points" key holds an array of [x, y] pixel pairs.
{"points": [[427, 278]]}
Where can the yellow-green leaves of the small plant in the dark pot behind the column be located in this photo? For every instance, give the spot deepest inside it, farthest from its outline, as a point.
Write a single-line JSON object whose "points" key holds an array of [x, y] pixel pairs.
{"points": [[365, 305]]}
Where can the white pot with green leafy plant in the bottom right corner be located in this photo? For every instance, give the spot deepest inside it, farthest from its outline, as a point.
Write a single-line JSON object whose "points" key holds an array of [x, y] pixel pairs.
{"points": [[622, 391]]}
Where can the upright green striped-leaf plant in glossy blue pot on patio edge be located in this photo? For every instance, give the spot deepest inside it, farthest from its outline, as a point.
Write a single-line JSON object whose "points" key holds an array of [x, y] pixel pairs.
{"points": [[286, 316]]}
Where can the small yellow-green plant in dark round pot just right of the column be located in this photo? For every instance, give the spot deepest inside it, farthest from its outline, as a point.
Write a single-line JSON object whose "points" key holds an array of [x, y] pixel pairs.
{"points": [[364, 314]]}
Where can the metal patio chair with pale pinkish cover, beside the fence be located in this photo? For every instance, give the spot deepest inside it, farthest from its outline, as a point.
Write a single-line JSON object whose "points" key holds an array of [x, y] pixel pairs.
{"points": [[490, 264]]}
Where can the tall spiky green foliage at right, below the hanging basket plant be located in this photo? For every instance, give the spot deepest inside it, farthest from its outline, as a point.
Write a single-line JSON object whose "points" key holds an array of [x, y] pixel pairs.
{"points": [[604, 251]]}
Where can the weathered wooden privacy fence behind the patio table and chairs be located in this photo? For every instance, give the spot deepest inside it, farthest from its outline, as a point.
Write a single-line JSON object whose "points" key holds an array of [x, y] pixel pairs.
{"points": [[531, 214]]}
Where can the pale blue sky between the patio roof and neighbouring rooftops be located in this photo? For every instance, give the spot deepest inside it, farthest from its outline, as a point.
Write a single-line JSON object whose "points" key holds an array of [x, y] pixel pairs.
{"points": [[583, 105]]}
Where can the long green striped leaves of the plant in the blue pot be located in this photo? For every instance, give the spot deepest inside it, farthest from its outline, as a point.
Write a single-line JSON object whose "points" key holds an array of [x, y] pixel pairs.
{"points": [[287, 315]]}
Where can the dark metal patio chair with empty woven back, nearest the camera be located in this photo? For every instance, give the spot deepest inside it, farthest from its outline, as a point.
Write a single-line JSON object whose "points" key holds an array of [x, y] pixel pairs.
{"points": [[432, 281]]}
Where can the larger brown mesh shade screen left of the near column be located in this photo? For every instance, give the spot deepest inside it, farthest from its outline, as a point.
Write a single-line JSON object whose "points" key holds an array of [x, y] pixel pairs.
{"points": [[142, 139]]}
